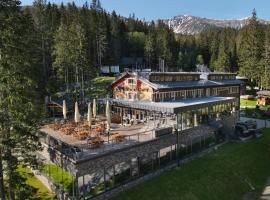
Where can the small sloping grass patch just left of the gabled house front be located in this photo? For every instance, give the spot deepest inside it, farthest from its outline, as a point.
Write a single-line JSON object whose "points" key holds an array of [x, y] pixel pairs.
{"points": [[100, 86]]}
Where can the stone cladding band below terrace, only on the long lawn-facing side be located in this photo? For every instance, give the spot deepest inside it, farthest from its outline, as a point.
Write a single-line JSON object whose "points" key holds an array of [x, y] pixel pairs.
{"points": [[143, 150]]}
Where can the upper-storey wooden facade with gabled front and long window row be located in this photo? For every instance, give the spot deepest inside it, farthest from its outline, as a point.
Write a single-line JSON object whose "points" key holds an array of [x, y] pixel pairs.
{"points": [[131, 87]]}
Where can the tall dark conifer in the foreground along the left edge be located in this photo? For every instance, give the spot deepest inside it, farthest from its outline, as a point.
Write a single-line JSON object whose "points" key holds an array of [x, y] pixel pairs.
{"points": [[19, 111]]}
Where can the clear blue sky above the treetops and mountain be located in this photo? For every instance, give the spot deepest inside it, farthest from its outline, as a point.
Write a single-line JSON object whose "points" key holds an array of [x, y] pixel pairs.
{"points": [[154, 9]]}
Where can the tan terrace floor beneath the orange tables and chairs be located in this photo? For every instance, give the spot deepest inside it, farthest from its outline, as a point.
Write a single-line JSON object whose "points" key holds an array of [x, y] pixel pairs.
{"points": [[132, 135]]}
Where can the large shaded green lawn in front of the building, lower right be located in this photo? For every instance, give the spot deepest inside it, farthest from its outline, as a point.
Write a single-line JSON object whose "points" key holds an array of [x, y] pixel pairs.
{"points": [[220, 175]]}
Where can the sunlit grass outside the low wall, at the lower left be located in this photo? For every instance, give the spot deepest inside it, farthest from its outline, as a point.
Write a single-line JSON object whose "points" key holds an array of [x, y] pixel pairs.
{"points": [[42, 192]]}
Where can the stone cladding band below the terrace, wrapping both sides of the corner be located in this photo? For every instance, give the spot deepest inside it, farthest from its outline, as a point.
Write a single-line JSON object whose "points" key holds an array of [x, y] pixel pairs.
{"points": [[143, 150]]}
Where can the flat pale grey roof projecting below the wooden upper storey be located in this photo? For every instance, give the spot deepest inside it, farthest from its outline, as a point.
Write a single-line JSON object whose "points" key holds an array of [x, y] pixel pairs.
{"points": [[171, 107]]}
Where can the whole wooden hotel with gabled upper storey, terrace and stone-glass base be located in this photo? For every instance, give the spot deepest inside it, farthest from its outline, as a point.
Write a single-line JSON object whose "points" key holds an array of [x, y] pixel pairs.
{"points": [[156, 118]]}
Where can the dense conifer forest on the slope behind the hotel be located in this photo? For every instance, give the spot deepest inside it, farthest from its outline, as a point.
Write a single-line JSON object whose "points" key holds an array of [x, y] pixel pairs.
{"points": [[71, 43]]}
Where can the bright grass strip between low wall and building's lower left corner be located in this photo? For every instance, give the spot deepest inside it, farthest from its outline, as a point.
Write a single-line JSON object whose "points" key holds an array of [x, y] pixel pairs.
{"points": [[55, 173]]}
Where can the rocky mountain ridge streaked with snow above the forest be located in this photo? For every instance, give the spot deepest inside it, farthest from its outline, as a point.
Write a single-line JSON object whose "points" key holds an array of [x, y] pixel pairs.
{"points": [[187, 24]]}
